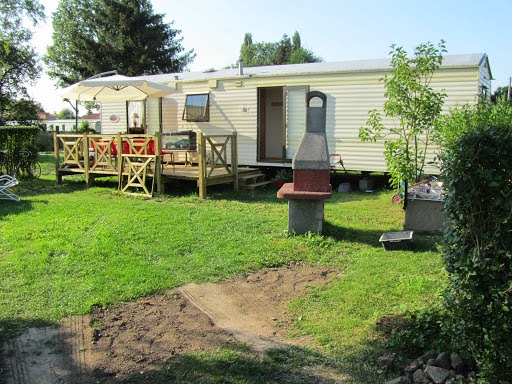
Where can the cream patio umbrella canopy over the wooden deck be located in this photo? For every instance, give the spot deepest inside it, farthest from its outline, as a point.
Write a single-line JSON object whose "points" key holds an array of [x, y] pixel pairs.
{"points": [[115, 88]]}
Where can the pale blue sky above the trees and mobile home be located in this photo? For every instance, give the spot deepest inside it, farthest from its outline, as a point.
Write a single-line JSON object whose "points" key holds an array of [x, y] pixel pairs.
{"points": [[333, 30]]}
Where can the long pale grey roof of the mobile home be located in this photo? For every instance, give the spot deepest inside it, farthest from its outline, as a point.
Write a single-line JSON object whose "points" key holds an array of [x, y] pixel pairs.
{"points": [[465, 60]]}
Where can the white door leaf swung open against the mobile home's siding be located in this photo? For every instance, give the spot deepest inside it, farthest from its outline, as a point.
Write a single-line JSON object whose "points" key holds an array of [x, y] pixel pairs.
{"points": [[294, 118]]}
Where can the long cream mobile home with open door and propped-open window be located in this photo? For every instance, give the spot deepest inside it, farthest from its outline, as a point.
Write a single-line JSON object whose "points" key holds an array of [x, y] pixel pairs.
{"points": [[266, 105]]}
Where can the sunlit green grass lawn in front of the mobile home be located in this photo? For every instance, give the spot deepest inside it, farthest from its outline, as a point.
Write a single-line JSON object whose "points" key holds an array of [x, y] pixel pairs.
{"points": [[66, 249]]}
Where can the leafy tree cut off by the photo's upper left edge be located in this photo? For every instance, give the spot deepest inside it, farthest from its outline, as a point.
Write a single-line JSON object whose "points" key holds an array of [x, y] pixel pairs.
{"points": [[18, 60]]}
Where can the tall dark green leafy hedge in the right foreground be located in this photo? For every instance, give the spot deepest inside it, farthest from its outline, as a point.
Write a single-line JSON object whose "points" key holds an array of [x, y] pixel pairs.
{"points": [[477, 170]]}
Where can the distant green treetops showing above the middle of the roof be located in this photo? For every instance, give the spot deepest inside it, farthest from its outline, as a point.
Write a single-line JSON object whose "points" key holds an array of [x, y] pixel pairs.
{"points": [[285, 51]]}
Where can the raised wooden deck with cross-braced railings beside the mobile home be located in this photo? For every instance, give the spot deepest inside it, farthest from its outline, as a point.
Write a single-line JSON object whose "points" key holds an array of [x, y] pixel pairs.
{"points": [[137, 167]]}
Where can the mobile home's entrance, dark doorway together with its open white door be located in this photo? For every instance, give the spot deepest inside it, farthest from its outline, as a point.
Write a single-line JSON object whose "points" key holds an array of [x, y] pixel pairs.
{"points": [[281, 122]]}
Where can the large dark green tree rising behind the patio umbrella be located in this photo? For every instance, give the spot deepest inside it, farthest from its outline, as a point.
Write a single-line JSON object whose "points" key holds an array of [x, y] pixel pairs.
{"points": [[85, 43]]}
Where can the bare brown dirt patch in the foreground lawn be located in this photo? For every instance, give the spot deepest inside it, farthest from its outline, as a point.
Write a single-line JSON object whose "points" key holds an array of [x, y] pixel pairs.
{"points": [[142, 336]]}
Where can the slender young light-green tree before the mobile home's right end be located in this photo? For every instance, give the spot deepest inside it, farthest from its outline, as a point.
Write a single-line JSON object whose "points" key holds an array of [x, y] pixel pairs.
{"points": [[415, 108]]}
